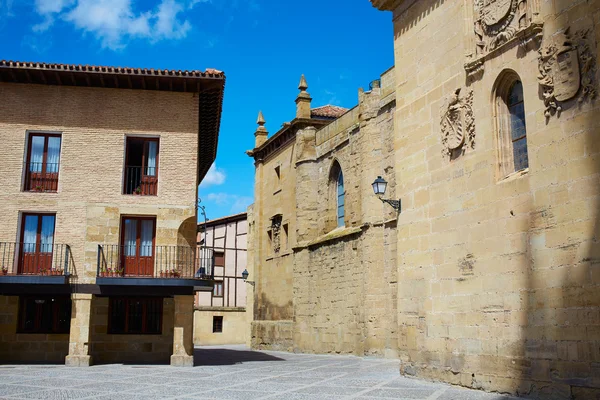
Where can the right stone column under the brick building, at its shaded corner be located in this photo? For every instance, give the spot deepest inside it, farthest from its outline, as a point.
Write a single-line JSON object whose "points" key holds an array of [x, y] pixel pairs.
{"points": [[183, 340]]}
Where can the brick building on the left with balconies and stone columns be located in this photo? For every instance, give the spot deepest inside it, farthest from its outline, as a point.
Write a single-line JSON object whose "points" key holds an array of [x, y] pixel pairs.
{"points": [[98, 210]]}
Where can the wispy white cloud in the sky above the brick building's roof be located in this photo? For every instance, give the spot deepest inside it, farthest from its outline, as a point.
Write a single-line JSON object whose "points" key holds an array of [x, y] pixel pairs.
{"points": [[114, 22]]}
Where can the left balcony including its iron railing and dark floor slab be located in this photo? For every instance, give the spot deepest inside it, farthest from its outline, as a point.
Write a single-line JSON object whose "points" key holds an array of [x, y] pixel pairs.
{"points": [[34, 263]]}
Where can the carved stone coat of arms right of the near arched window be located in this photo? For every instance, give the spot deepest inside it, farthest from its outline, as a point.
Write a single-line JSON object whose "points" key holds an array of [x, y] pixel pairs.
{"points": [[567, 68]]}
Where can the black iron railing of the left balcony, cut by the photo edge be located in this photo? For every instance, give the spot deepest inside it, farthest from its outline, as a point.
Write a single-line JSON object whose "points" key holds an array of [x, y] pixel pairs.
{"points": [[34, 259]]}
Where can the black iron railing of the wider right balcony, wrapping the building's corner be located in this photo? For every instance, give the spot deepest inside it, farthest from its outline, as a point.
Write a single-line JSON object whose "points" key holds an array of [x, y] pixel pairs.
{"points": [[181, 262]]}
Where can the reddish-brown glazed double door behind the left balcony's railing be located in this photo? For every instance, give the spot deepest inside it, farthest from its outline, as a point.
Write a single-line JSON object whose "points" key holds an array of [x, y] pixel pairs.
{"points": [[37, 243]]}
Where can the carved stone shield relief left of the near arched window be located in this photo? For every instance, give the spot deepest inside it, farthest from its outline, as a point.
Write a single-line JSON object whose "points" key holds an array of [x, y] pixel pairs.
{"points": [[457, 124]]}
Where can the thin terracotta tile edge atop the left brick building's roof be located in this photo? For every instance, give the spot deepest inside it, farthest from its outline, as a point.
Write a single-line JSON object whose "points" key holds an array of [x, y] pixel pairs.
{"points": [[110, 70]]}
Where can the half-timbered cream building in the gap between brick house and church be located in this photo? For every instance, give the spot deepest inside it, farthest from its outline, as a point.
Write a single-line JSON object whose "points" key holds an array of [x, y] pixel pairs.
{"points": [[220, 316]]}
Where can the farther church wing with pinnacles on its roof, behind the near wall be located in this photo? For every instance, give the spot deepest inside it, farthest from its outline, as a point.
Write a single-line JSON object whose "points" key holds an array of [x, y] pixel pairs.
{"points": [[323, 246]]}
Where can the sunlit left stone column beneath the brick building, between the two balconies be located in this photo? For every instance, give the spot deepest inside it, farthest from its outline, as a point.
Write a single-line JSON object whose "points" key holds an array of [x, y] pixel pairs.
{"points": [[79, 337]]}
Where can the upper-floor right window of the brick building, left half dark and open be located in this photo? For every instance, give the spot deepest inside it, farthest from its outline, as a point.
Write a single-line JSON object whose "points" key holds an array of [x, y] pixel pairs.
{"points": [[141, 166]]}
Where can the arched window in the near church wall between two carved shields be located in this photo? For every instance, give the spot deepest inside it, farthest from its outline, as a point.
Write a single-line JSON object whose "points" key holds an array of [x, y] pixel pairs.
{"points": [[512, 132]]}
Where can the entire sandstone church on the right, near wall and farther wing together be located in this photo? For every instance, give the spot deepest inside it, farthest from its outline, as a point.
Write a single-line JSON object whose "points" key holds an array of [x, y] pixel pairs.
{"points": [[489, 275]]}
